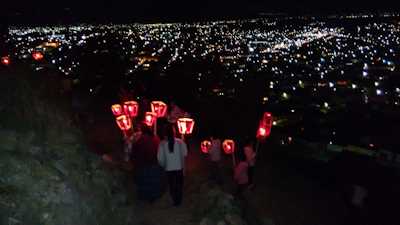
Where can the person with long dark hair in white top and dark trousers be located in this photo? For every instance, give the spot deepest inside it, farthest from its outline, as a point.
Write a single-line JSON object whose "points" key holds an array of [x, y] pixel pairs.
{"points": [[171, 155]]}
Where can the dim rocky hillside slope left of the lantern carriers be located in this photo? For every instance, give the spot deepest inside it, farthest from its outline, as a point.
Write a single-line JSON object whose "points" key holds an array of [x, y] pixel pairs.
{"points": [[46, 175]]}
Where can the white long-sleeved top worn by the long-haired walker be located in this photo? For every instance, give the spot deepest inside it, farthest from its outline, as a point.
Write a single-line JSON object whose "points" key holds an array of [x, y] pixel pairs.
{"points": [[172, 160]]}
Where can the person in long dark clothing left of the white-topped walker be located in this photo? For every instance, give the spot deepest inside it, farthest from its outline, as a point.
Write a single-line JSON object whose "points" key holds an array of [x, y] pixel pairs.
{"points": [[147, 170]]}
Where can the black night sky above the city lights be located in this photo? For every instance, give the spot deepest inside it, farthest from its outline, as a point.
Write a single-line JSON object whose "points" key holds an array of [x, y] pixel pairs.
{"points": [[30, 11]]}
